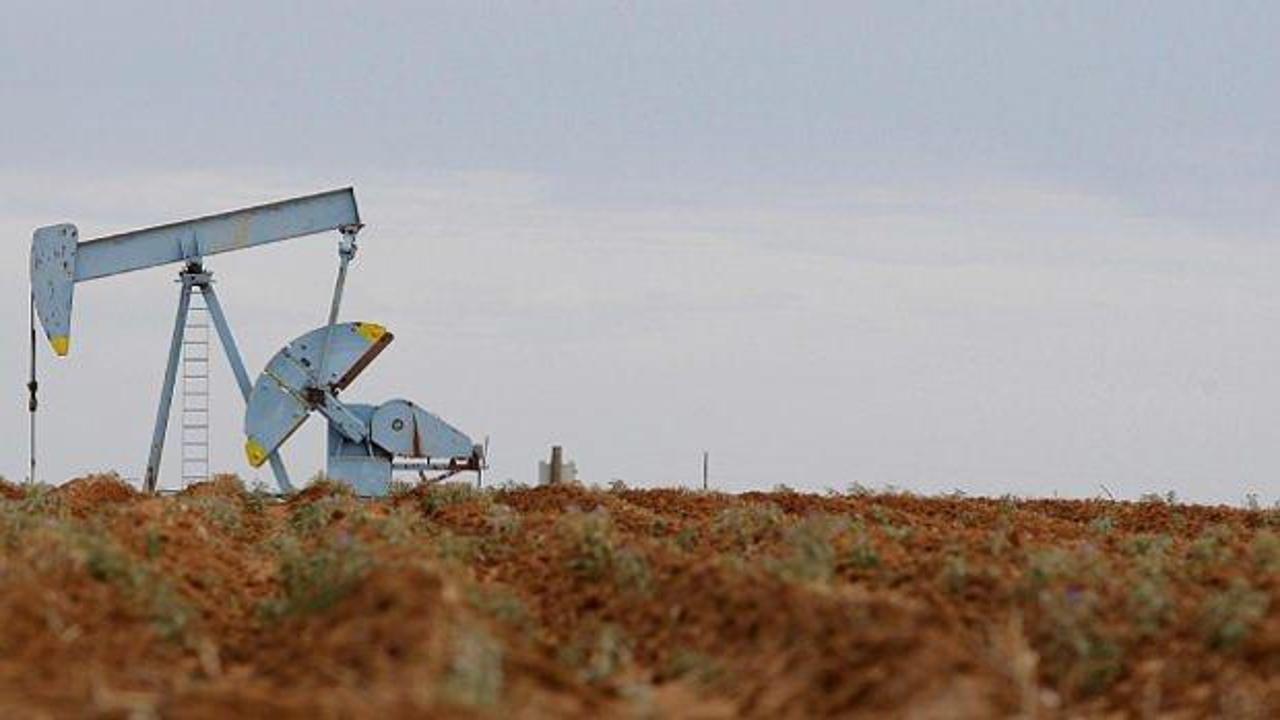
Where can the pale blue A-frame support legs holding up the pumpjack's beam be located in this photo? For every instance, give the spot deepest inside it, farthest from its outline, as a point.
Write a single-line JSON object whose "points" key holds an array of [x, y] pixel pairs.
{"points": [[195, 277]]}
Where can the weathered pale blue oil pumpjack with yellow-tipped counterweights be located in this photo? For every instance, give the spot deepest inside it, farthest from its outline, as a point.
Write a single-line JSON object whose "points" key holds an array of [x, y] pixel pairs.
{"points": [[367, 444]]}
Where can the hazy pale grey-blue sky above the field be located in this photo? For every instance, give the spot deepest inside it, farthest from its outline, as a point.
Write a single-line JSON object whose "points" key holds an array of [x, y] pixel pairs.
{"points": [[1020, 248]]}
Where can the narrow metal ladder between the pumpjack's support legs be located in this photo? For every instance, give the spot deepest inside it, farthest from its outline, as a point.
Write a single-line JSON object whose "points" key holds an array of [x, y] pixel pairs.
{"points": [[195, 394]]}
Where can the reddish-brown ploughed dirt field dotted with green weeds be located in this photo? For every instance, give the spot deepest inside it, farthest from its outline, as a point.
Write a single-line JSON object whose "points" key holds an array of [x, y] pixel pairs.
{"points": [[630, 604]]}
